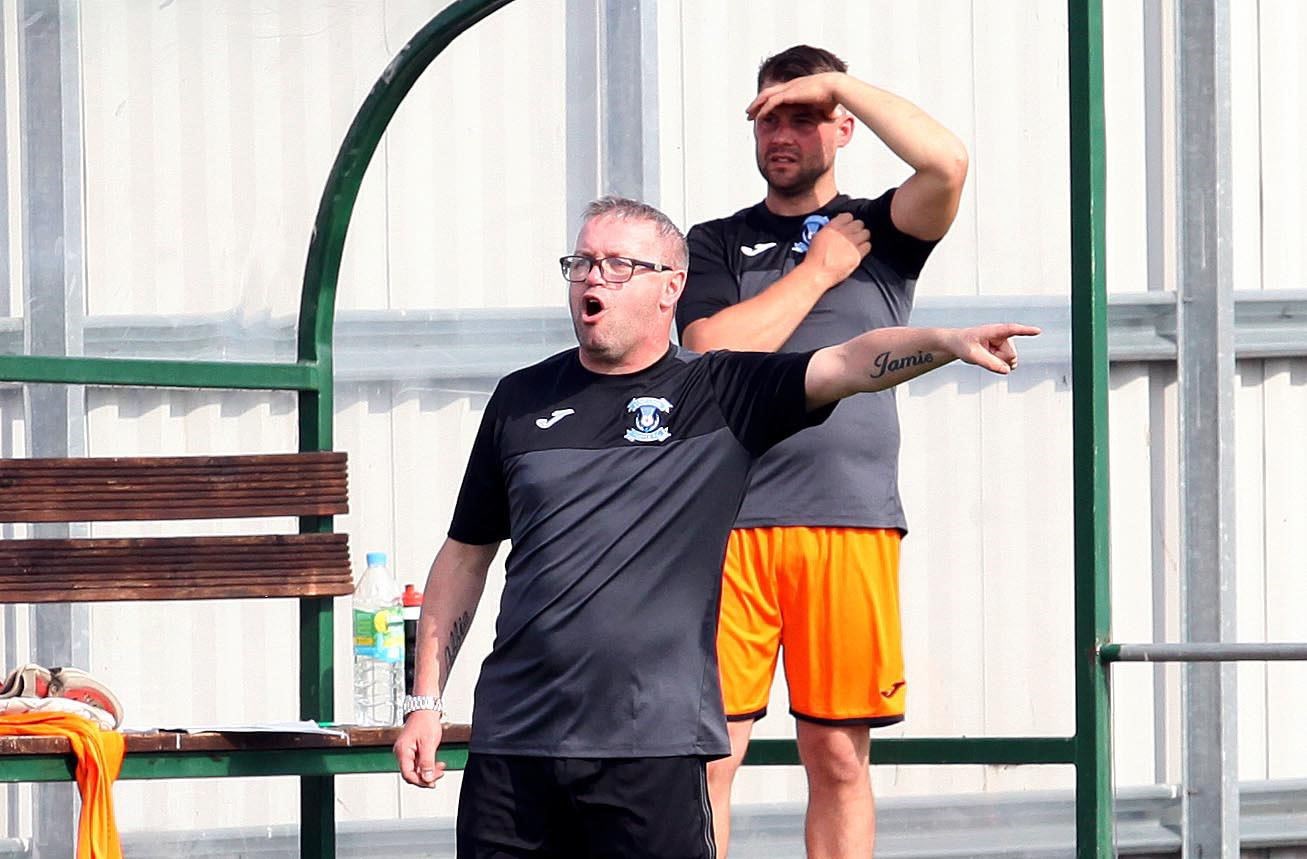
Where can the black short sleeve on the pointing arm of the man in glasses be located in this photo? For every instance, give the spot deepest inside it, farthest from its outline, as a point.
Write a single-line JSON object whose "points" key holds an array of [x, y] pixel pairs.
{"points": [[764, 396]]}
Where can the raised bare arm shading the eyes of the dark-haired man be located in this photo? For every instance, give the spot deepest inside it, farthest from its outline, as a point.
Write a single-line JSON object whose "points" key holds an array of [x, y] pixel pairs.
{"points": [[927, 202]]}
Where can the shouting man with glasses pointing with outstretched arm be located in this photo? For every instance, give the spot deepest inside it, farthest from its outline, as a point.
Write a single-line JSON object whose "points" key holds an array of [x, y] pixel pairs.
{"points": [[616, 470]]}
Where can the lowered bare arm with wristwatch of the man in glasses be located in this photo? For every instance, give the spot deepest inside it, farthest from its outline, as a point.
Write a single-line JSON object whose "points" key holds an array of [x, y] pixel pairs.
{"points": [[452, 596]]}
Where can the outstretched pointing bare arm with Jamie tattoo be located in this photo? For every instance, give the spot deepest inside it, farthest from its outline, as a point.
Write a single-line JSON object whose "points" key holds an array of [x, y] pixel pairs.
{"points": [[885, 358]]}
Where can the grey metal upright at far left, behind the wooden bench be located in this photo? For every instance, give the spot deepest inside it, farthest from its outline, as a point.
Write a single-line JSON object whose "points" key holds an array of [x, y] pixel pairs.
{"points": [[54, 296]]}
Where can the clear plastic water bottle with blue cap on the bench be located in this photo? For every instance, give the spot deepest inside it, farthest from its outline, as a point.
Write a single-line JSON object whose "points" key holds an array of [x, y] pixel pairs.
{"points": [[378, 645]]}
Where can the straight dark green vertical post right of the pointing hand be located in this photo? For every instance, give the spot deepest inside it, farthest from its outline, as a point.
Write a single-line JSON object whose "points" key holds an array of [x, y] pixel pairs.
{"points": [[1089, 410]]}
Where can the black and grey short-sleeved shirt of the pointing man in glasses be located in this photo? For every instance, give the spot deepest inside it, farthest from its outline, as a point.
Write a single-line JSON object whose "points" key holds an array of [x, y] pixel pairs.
{"points": [[619, 494]]}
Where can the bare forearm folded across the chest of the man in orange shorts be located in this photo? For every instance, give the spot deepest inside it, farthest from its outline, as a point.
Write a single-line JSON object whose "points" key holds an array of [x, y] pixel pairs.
{"points": [[767, 321]]}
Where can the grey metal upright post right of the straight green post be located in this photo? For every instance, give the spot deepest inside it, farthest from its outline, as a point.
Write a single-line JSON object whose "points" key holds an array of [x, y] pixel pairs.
{"points": [[1206, 355]]}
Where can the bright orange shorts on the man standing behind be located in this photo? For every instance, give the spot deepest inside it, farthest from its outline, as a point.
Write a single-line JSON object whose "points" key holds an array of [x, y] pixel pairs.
{"points": [[829, 597]]}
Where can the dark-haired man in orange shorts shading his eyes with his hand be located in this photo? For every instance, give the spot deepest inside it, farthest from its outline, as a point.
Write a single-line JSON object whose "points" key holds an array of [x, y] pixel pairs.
{"points": [[812, 568]]}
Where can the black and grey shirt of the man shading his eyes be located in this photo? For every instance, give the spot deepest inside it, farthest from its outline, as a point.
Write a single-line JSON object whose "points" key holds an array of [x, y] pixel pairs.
{"points": [[844, 474]]}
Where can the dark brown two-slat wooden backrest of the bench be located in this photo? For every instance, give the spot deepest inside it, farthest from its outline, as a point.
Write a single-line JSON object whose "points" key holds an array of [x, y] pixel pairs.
{"points": [[174, 488]]}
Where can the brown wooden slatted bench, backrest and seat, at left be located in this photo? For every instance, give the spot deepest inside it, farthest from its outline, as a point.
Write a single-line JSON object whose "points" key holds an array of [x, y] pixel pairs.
{"points": [[306, 567]]}
